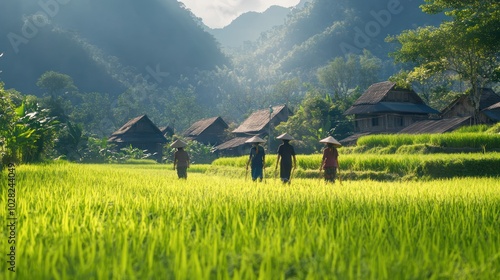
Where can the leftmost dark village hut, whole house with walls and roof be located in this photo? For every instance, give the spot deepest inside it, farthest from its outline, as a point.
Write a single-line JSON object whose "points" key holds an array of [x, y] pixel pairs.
{"points": [[140, 133]]}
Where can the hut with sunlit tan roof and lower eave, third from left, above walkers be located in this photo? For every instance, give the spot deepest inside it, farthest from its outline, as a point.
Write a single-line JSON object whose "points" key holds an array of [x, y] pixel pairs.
{"points": [[259, 123]]}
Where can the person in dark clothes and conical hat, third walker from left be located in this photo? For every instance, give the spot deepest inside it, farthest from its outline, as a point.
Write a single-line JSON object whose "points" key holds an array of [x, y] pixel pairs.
{"points": [[286, 158]]}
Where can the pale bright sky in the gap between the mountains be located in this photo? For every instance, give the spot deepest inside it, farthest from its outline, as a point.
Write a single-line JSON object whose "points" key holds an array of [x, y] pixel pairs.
{"points": [[219, 13]]}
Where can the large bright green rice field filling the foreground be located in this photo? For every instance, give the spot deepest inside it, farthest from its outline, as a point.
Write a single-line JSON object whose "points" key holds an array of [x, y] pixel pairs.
{"points": [[141, 222]]}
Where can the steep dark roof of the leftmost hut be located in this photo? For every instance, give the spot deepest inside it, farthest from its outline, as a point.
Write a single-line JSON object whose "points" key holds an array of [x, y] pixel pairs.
{"points": [[131, 133]]}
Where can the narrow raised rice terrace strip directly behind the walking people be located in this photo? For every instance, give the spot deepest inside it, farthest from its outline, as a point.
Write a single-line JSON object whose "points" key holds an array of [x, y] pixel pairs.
{"points": [[383, 166]]}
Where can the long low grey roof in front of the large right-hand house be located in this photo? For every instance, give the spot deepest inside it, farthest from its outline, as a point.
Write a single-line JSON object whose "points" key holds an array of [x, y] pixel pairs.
{"points": [[436, 126]]}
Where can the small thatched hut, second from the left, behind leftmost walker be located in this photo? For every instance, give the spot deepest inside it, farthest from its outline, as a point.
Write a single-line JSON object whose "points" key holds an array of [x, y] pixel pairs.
{"points": [[207, 131]]}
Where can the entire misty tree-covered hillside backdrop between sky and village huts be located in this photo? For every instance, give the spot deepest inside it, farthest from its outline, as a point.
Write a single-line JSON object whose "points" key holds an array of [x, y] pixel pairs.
{"points": [[90, 66]]}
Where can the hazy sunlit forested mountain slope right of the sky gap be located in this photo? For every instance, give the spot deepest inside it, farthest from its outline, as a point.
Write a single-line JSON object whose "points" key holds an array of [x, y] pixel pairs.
{"points": [[325, 29]]}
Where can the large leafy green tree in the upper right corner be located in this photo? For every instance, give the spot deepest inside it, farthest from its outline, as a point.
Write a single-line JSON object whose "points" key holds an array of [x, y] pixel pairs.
{"points": [[468, 44]]}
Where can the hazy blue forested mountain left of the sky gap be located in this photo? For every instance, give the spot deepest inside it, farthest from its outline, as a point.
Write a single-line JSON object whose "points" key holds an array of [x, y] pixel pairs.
{"points": [[102, 44]]}
